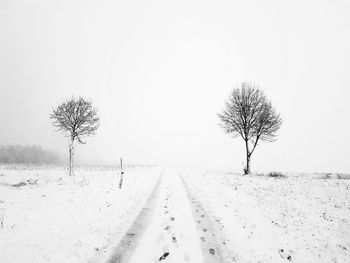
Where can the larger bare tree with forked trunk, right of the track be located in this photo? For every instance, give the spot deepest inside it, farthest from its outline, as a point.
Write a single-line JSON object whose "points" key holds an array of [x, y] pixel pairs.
{"points": [[248, 114]]}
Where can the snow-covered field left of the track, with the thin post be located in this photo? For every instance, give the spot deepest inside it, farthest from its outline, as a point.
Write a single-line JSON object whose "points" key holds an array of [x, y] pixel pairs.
{"points": [[56, 218]]}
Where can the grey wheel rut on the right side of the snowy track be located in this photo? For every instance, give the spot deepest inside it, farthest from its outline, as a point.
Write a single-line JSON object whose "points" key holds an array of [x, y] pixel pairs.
{"points": [[209, 237]]}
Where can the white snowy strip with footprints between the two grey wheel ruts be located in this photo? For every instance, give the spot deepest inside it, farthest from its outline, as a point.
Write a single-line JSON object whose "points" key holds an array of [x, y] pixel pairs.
{"points": [[171, 236]]}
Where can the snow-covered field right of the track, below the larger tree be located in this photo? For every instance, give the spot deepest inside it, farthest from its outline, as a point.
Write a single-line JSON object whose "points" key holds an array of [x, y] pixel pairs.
{"points": [[301, 218]]}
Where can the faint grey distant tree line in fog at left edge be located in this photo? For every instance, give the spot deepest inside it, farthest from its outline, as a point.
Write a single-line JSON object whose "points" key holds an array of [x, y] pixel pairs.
{"points": [[28, 155]]}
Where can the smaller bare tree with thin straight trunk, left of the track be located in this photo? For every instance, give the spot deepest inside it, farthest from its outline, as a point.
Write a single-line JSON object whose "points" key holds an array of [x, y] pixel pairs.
{"points": [[77, 118]]}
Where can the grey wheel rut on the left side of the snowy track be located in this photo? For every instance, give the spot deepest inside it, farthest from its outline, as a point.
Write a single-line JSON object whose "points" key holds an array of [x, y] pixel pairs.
{"points": [[128, 243]]}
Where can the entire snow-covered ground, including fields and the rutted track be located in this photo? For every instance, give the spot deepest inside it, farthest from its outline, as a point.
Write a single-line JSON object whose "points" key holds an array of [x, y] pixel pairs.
{"points": [[172, 216]]}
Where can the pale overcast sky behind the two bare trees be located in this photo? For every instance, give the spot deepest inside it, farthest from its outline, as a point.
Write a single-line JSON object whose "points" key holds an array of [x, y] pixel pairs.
{"points": [[160, 71]]}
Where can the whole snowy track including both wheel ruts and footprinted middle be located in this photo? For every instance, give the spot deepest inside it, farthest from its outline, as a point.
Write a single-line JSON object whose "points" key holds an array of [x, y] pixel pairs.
{"points": [[166, 229]]}
